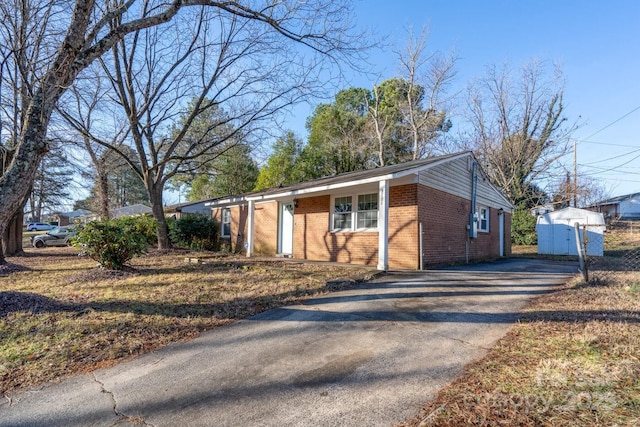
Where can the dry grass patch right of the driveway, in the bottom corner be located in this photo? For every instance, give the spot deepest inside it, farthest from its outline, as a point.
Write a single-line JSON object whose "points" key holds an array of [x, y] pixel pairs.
{"points": [[572, 360]]}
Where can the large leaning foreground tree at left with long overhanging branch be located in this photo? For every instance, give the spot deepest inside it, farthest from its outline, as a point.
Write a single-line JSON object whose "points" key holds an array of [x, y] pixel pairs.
{"points": [[93, 27]]}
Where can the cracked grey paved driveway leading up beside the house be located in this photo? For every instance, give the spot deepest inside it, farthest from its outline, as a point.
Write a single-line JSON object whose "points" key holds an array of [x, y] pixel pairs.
{"points": [[368, 356]]}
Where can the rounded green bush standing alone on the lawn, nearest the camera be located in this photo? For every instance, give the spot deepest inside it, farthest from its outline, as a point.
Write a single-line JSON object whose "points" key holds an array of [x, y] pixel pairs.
{"points": [[114, 242]]}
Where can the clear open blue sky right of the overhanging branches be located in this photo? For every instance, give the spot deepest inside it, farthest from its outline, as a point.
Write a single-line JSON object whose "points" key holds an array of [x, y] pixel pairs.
{"points": [[596, 43]]}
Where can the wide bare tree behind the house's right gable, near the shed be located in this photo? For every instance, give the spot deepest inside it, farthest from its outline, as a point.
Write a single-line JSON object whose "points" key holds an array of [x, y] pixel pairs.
{"points": [[519, 129]]}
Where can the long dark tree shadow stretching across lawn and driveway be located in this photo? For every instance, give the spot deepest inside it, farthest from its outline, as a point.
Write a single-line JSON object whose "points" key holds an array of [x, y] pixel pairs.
{"points": [[243, 307]]}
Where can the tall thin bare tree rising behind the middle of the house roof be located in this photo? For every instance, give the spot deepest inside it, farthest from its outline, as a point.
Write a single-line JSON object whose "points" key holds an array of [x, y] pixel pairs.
{"points": [[427, 78]]}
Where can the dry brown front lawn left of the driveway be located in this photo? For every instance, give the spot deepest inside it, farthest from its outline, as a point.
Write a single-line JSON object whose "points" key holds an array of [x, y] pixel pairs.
{"points": [[62, 315]]}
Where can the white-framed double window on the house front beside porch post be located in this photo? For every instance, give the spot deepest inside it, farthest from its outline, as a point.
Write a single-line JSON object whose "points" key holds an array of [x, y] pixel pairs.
{"points": [[350, 216]]}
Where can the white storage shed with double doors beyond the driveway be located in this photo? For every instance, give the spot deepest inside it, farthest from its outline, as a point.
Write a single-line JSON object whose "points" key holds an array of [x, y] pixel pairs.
{"points": [[557, 236]]}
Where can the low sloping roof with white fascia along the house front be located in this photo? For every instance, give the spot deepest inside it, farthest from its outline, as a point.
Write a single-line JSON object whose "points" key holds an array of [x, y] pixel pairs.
{"points": [[338, 182]]}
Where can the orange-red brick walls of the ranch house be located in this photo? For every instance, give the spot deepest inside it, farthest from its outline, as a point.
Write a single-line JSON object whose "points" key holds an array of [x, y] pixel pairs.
{"points": [[445, 235]]}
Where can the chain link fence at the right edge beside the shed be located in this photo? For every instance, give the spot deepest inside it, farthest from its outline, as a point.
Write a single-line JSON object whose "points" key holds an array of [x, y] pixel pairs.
{"points": [[621, 243]]}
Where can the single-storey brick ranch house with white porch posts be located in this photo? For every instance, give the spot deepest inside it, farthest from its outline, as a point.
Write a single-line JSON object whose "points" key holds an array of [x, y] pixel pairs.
{"points": [[435, 211]]}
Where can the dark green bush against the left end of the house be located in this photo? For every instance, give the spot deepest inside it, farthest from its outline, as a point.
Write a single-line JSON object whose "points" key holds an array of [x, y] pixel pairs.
{"points": [[196, 232]]}
